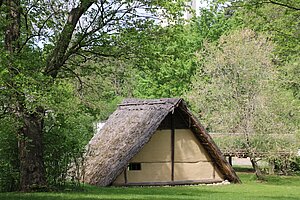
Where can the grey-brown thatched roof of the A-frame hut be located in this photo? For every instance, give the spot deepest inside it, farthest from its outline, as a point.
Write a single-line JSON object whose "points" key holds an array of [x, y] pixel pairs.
{"points": [[129, 128]]}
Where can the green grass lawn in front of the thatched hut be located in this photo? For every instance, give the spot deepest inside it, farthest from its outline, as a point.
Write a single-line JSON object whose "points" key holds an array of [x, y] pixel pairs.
{"points": [[276, 188]]}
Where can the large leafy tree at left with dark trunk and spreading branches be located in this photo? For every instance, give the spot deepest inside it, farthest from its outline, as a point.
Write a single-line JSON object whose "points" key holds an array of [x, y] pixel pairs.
{"points": [[39, 39]]}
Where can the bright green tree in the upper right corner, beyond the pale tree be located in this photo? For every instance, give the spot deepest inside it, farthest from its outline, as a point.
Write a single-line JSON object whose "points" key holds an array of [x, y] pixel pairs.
{"points": [[279, 20]]}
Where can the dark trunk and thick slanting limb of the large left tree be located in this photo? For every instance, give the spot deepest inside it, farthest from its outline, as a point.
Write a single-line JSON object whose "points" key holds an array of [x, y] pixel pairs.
{"points": [[32, 171]]}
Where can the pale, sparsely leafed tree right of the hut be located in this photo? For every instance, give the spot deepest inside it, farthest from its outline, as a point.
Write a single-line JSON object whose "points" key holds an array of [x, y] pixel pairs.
{"points": [[233, 91]]}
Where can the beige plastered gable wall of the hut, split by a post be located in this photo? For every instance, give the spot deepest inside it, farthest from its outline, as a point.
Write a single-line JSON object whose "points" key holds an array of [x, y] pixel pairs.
{"points": [[191, 161]]}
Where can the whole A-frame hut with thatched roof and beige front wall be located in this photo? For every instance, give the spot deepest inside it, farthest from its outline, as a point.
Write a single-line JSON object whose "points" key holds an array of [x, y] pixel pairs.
{"points": [[154, 142]]}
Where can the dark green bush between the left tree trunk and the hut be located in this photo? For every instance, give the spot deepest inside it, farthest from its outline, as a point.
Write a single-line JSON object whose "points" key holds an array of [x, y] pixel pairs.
{"points": [[67, 129]]}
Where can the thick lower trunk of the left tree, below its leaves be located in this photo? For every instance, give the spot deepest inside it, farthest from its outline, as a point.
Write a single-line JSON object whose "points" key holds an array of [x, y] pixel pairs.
{"points": [[32, 171]]}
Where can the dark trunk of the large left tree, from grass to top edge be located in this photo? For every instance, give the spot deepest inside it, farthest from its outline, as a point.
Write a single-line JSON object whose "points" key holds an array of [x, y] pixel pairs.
{"points": [[32, 171]]}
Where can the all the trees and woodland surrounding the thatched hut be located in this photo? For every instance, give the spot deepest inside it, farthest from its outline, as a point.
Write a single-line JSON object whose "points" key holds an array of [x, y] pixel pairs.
{"points": [[65, 65]]}
